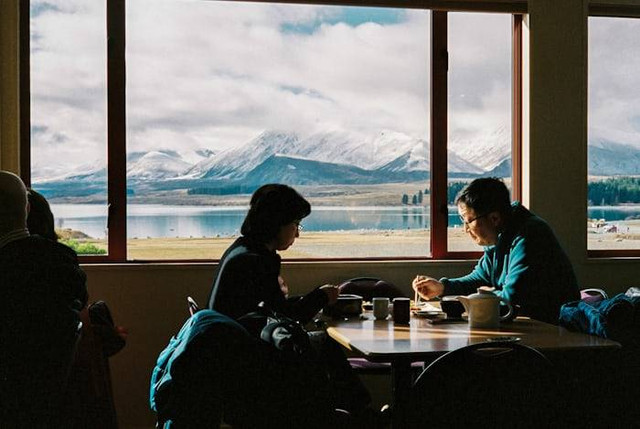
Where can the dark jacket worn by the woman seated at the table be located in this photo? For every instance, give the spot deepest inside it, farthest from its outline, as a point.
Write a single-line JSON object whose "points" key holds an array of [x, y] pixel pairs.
{"points": [[247, 275]]}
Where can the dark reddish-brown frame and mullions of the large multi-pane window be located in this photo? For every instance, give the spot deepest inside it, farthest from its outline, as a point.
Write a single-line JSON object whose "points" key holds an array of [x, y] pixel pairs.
{"points": [[116, 119]]}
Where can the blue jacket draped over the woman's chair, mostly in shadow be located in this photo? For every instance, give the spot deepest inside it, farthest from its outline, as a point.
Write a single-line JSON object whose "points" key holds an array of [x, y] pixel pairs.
{"points": [[214, 368]]}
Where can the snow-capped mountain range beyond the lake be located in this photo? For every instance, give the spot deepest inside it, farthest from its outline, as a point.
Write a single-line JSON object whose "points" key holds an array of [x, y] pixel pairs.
{"points": [[328, 158]]}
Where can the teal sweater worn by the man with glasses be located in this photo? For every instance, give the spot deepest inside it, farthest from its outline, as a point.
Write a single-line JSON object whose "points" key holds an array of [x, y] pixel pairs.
{"points": [[527, 266]]}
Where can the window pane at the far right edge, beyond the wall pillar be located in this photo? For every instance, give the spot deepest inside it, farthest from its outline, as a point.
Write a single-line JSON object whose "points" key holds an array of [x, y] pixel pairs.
{"points": [[614, 134]]}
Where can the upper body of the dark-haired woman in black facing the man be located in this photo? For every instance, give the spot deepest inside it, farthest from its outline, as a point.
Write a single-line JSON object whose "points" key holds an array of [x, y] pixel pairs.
{"points": [[249, 271]]}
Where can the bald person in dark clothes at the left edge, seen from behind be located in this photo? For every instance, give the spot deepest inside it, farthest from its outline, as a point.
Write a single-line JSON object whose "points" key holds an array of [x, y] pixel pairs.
{"points": [[42, 290]]}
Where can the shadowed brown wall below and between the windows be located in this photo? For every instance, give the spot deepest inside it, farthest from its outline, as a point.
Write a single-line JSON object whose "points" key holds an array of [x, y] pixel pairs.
{"points": [[150, 299]]}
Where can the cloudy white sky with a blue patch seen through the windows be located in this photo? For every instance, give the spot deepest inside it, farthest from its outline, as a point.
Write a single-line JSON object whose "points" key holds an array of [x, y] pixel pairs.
{"points": [[214, 74]]}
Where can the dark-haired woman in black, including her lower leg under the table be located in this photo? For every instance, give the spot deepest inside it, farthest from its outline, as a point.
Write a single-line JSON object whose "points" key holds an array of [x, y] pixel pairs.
{"points": [[249, 273]]}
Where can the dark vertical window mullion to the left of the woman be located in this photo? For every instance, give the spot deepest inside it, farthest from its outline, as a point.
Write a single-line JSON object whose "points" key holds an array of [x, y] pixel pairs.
{"points": [[116, 131]]}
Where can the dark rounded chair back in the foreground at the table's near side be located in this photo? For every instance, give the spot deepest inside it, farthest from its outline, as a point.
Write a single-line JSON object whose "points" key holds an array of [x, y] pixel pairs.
{"points": [[491, 385]]}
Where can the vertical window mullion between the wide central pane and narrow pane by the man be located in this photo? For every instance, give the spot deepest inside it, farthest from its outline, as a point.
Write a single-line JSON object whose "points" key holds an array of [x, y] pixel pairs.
{"points": [[438, 140]]}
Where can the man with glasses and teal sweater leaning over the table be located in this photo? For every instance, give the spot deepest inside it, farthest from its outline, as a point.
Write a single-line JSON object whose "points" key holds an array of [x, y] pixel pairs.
{"points": [[522, 258]]}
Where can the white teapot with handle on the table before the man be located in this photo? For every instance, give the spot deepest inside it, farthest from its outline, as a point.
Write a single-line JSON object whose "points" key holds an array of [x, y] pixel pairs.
{"points": [[483, 308]]}
